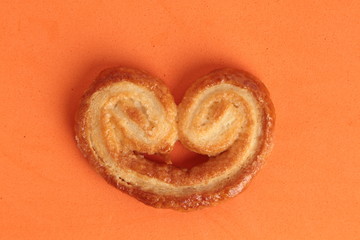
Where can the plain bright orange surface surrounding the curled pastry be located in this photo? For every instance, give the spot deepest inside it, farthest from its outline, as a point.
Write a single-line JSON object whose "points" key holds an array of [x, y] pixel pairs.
{"points": [[306, 52]]}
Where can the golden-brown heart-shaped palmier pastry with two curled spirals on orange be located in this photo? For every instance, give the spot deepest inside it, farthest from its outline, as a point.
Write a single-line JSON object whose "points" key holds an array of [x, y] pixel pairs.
{"points": [[126, 114]]}
